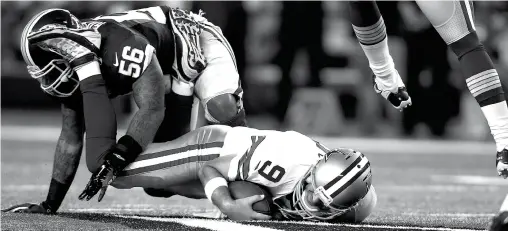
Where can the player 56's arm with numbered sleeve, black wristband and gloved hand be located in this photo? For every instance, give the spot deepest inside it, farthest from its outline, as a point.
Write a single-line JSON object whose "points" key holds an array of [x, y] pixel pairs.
{"points": [[139, 64]]}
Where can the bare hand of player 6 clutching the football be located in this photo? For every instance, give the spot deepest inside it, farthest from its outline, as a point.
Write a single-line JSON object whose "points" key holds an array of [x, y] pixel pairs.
{"points": [[241, 209]]}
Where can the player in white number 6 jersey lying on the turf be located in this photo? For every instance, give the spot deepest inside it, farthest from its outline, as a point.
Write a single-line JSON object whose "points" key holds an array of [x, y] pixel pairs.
{"points": [[305, 179]]}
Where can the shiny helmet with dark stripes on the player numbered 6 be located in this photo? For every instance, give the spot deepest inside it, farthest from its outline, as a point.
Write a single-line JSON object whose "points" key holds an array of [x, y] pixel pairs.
{"points": [[331, 187]]}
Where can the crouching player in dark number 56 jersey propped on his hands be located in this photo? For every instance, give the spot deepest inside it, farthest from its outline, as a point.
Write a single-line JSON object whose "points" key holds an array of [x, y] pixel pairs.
{"points": [[124, 53]]}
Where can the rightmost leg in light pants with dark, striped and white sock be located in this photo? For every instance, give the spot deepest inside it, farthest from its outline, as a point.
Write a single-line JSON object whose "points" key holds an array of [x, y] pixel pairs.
{"points": [[453, 20]]}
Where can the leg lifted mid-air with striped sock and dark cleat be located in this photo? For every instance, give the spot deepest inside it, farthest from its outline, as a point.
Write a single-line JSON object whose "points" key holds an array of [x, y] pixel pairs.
{"points": [[370, 31]]}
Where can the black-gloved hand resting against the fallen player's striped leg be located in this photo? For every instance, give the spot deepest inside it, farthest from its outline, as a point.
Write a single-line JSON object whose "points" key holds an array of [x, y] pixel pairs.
{"points": [[100, 180]]}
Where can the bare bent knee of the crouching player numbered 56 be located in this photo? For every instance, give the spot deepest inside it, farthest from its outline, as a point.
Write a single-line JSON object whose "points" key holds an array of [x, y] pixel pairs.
{"points": [[225, 109]]}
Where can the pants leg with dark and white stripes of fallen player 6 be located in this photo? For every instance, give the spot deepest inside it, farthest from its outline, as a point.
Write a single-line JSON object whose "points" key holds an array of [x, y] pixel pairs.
{"points": [[173, 163]]}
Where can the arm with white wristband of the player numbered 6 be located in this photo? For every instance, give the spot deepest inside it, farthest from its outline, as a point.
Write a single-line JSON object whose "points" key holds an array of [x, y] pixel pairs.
{"points": [[213, 176]]}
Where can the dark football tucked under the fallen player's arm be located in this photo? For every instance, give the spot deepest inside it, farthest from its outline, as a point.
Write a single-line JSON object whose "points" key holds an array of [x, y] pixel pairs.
{"points": [[243, 189]]}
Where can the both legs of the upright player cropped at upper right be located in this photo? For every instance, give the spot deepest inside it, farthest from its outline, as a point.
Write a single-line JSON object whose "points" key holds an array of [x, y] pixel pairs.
{"points": [[453, 20]]}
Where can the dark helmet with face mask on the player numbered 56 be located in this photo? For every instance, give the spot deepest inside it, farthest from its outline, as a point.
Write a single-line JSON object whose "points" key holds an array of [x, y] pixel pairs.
{"points": [[54, 74]]}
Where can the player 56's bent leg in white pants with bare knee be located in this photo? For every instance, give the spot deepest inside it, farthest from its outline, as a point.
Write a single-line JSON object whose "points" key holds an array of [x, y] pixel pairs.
{"points": [[219, 87]]}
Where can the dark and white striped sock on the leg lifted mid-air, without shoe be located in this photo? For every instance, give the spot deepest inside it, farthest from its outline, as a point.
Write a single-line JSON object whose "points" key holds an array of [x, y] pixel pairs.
{"points": [[370, 30]]}
